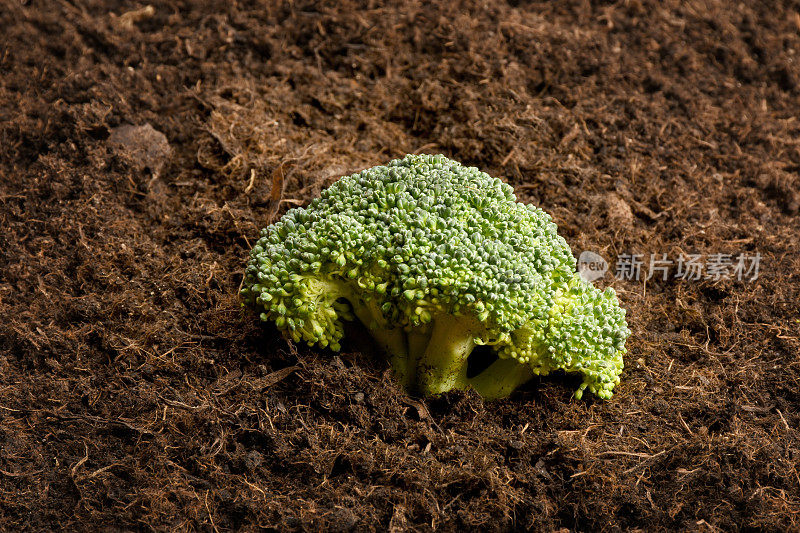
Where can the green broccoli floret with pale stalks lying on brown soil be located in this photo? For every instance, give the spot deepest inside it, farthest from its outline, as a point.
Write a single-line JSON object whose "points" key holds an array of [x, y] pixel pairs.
{"points": [[434, 259]]}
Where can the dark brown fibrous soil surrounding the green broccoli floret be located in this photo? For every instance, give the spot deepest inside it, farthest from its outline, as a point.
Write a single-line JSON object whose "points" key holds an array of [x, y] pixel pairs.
{"points": [[144, 148]]}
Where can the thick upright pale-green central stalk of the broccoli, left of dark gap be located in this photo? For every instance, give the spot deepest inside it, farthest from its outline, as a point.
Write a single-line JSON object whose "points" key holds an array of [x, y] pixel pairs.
{"points": [[443, 365]]}
